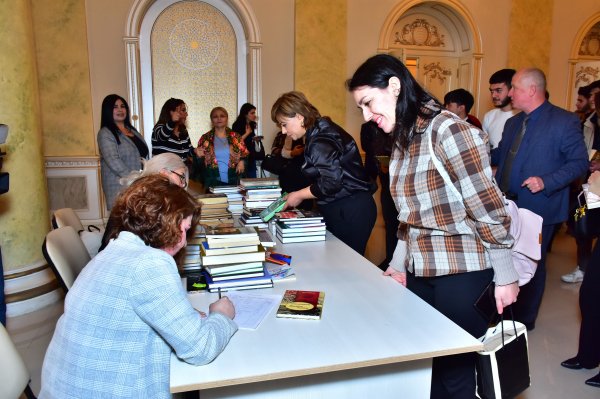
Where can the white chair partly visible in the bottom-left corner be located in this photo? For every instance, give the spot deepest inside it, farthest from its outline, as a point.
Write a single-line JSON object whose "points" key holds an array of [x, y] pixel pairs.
{"points": [[14, 379]]}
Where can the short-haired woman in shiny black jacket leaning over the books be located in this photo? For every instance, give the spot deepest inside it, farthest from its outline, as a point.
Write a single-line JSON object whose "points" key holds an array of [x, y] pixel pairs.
{"points": [[338, 179]]}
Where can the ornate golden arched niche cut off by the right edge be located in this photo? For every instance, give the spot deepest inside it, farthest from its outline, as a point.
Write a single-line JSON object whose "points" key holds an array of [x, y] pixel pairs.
{"points": [[584, 61]]}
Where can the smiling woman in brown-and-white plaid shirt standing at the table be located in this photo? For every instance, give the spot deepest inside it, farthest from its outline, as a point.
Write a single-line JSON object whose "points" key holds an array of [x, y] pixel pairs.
{"points": [[447, 252]]}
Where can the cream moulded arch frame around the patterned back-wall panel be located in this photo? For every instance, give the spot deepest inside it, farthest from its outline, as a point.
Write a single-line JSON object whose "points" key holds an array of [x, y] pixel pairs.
{"points": [[141, 17]]}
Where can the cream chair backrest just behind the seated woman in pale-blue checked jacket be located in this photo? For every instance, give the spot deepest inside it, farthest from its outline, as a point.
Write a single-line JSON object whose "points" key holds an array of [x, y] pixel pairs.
{"points": [[66, 254]]}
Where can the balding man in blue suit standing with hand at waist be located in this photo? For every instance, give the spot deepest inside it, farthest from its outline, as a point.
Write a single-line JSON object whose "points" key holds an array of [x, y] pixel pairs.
{"points": [[540, 154]]}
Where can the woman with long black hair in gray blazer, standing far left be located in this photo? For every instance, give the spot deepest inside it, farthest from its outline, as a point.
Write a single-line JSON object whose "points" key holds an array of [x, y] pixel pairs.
{"points": [[121, 146]]}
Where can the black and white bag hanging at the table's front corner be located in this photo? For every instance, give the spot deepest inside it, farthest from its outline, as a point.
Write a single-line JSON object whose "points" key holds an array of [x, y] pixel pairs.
{"points": [[503, 365]]}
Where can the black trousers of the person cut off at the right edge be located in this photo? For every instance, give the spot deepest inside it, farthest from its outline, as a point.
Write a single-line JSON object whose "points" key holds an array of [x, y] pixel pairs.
{"points": [[589, 303]]}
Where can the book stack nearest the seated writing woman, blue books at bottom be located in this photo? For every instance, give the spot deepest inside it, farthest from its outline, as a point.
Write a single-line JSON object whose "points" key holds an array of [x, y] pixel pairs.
{"points": [[233, 259]]}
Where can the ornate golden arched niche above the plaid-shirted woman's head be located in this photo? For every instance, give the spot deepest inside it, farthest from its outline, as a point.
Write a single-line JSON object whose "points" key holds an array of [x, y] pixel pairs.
{"points": [[439, 43]]}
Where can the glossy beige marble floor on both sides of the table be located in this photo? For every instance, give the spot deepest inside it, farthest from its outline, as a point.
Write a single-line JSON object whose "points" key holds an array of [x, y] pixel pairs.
{"points": [[553, 340]]}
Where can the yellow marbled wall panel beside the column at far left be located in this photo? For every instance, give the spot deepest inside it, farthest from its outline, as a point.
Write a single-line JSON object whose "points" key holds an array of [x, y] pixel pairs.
{"points": [[61, 52]]}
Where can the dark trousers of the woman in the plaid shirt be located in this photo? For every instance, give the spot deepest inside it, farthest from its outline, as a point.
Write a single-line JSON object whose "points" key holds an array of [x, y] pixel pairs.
{"points": [[454, 296]]}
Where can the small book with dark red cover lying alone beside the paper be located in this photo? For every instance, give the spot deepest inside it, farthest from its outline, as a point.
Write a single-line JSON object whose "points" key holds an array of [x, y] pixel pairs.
{"points": [[298, 304]]}
